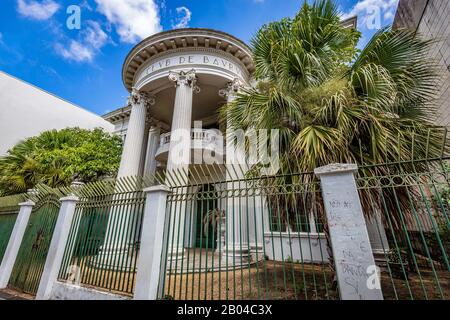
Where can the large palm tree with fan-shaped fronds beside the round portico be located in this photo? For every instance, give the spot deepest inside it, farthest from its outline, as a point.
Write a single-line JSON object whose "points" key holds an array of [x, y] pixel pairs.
{"points": [[332, 103]]}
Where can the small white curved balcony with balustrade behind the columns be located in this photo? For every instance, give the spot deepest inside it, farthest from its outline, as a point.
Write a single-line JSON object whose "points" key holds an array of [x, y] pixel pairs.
{"points": [[211, 141]]}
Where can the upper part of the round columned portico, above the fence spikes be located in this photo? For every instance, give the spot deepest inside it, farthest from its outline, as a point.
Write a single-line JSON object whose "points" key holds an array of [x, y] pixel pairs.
{"points": [[177, 82]]}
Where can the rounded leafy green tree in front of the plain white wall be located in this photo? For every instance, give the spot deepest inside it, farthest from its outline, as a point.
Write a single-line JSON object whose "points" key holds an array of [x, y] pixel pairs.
{"points": [[56, 158]]}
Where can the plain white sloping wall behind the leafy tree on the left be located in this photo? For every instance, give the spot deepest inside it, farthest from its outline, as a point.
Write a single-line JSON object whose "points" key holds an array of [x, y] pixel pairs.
{"points": [[26, 111]]}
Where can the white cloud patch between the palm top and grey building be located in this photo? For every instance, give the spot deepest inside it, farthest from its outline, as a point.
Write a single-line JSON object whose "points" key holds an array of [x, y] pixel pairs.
{"points": [[365, 9]]}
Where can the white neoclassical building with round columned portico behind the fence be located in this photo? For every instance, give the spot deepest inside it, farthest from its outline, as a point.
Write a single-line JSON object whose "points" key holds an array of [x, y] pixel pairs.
{"points": [[178, 80]]}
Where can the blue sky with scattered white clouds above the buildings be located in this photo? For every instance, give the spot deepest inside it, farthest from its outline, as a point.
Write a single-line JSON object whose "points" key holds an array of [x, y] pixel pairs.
{"points": [[84, 65]]}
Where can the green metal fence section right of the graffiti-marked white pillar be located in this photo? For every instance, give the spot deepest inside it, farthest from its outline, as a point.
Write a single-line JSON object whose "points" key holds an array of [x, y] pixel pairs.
{"points": [[407, 207]]}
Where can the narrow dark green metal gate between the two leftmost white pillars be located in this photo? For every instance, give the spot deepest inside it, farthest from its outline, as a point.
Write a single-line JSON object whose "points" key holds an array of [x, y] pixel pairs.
{"points": [[30, 261]]}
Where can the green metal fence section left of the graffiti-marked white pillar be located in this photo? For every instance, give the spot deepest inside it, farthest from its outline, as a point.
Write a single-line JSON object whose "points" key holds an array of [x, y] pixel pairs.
{"points": [[256, 238]]}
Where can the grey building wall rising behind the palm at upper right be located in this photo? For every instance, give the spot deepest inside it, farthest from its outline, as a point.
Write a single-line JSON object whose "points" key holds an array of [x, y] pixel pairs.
{"points": [[431, 19]]}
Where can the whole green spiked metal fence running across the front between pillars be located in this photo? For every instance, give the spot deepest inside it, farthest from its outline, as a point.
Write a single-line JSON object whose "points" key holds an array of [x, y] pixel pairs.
{"points": [[258, 238]]}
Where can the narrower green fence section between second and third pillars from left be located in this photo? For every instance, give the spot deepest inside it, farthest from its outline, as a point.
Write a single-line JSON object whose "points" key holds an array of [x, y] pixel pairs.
{"points": [[104, 237]]}
